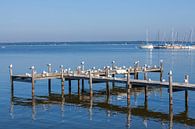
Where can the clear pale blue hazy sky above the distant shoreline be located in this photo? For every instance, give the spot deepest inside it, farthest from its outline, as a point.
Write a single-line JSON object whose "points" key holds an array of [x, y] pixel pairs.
{"points": [[93, 20]]}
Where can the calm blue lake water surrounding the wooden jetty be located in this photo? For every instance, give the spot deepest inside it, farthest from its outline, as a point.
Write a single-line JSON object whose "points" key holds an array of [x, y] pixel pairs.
{"points": [[100, 111]]}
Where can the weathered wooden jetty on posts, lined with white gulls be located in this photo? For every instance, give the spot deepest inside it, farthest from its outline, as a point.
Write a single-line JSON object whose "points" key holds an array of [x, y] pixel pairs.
{"points": [[105, 75]]}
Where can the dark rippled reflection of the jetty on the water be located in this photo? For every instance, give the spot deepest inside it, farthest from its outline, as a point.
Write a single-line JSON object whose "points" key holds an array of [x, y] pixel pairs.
{"points": [[88, 102]]}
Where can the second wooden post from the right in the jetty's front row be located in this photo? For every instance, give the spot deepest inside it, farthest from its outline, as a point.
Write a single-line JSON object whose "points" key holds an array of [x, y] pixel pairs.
{"points": [[128, 88]]}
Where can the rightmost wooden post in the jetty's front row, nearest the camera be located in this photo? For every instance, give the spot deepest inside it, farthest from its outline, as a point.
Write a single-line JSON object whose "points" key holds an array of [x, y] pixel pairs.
{"points": [[170, 89]]}
